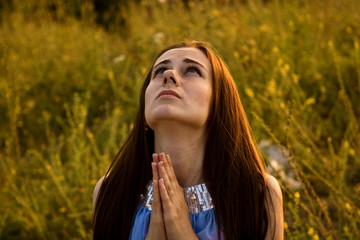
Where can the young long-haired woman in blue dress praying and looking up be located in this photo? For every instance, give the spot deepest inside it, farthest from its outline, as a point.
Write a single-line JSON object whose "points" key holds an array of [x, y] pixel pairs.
{"points": [[189, 168]]}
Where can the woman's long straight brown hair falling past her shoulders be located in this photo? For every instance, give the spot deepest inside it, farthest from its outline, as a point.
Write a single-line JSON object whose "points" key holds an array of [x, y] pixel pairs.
{"points": [[233, 169]]}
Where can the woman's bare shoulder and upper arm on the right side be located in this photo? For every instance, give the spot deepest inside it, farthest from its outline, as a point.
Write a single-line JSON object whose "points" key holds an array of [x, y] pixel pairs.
{"points": [[275, 208]]}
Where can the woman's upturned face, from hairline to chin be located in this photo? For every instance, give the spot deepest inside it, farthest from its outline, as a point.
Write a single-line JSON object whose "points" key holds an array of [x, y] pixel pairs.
{"points": [[180, 89]]}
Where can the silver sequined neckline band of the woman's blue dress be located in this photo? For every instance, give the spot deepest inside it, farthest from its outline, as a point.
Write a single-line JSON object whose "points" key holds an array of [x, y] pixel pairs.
{"points": [[197, 198]]}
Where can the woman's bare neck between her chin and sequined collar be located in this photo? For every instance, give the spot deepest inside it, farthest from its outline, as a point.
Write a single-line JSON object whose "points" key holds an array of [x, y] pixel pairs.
{"points": [[186, 150]]}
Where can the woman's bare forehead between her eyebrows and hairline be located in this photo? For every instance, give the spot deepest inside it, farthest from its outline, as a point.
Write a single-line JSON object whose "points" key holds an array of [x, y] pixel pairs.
{"points": [[183, 53]]}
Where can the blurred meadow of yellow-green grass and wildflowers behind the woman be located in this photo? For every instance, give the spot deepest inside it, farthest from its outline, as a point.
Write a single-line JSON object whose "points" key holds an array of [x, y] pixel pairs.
{"points": [[70, 74]]}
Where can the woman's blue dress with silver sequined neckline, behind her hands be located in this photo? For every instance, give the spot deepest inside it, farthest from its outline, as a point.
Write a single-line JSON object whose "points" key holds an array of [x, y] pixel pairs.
{"points": [[201, 211]]}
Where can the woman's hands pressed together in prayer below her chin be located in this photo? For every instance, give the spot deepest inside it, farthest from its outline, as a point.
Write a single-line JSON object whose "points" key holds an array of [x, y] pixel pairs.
{"points": [[170, 215]]}
